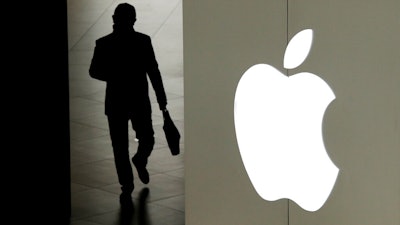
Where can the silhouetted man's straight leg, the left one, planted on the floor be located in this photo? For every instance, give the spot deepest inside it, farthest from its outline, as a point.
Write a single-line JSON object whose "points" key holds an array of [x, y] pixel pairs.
{"points": [[120, 142]]}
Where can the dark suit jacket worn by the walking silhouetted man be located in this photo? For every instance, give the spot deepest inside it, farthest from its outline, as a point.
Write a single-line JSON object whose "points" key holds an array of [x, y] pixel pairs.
{"points": [[125, 60]]}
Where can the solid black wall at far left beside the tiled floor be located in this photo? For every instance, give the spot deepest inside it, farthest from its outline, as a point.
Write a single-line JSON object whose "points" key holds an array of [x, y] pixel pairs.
{"points": [[35, 106]]}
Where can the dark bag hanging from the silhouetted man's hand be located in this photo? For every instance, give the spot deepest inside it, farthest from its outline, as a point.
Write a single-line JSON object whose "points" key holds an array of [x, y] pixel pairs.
{"points": [[171, 133]]}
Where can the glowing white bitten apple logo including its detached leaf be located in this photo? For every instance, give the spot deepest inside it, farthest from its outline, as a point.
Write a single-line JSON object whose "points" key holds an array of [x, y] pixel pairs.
{"points": [[278, 123]]}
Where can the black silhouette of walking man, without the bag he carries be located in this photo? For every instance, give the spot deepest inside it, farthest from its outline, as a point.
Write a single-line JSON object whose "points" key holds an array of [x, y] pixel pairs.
{"points": [[124, 59]]}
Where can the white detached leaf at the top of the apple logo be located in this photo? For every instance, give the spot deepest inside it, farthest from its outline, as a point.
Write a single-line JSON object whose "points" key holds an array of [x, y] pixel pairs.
{"points": [[298, 48]]}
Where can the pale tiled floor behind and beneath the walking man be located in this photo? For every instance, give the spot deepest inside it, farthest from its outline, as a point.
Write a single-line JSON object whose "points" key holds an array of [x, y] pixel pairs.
{"points": [[94, 184]]}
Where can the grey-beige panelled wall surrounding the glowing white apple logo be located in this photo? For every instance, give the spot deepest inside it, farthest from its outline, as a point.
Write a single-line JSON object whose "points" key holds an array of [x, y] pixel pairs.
{"points": [[355, 50]]}
